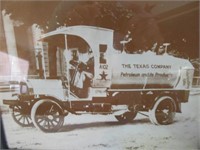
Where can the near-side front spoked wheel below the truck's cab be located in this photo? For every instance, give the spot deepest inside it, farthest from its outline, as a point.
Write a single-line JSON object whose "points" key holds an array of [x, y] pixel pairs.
{"points": [[47, 115]]}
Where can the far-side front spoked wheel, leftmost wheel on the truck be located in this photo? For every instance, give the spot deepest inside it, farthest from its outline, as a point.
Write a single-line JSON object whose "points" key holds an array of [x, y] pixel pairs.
{"points": [[22, 116]]}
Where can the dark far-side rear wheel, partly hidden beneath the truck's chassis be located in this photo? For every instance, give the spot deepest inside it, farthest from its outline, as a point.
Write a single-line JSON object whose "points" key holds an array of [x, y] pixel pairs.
{"points": [[126, 117]]}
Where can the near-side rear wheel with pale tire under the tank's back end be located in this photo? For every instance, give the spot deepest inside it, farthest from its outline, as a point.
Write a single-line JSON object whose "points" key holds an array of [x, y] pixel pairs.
{"points": [[163, 111]]}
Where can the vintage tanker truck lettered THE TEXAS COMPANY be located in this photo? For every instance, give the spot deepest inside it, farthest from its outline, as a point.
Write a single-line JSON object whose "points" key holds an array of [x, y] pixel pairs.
{"points": [[109, 81]]}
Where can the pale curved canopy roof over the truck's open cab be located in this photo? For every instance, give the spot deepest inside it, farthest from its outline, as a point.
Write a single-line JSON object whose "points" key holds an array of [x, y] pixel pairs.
{"points": [[94, 36]]}
